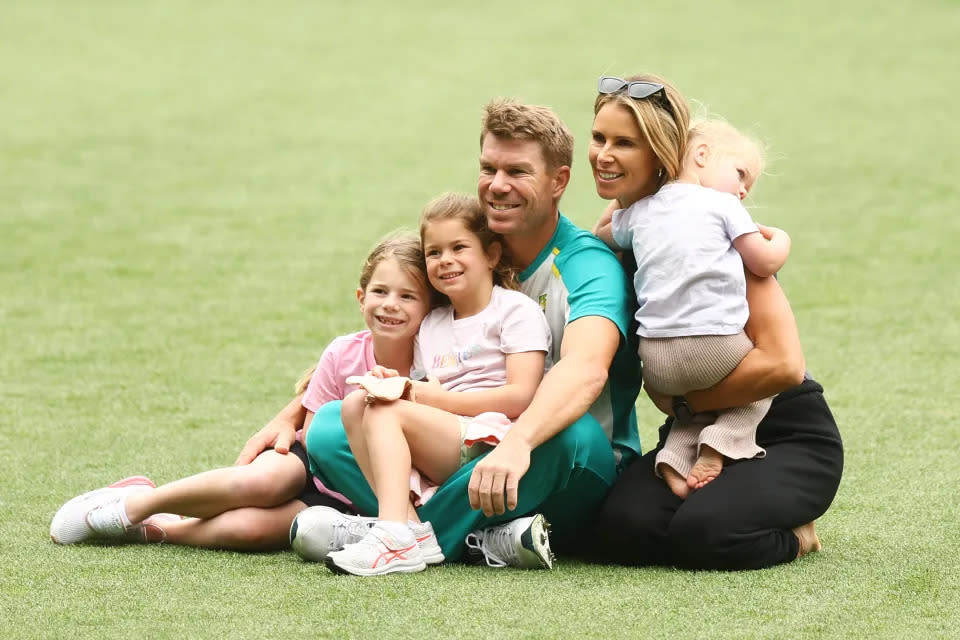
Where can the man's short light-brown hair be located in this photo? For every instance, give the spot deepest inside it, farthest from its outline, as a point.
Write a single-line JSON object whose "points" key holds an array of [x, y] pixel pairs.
{"points": [[511, 120]]}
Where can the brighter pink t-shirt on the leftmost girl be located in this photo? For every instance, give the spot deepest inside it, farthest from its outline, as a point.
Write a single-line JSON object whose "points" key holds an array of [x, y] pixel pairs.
{"points": [[345, 356]]}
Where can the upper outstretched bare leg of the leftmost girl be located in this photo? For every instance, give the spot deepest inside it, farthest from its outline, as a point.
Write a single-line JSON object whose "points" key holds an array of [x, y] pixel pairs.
{"points": [[271, 479]]}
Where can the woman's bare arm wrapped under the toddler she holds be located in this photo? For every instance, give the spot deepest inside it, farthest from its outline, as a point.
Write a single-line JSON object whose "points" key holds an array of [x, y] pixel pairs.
{"points": [[774, 364]]}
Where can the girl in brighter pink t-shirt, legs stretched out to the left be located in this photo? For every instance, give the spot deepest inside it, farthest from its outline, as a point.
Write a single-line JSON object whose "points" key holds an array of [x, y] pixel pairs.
{"points": [[252, 506]]}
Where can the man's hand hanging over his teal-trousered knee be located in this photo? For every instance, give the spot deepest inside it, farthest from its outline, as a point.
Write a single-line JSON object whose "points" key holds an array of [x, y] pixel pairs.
{"points": [[498, 475]]}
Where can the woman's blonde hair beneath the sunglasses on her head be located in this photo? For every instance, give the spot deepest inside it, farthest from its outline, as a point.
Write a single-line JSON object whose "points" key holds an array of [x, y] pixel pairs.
{"points": [[664, 121]]}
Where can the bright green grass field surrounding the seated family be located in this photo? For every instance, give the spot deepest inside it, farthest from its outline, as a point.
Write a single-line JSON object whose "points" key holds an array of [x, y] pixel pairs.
{"points": [[187, 190]]}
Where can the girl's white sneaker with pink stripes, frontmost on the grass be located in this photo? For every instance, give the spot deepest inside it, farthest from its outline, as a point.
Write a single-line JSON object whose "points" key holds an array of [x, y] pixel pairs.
{"points": [[378, 553]]}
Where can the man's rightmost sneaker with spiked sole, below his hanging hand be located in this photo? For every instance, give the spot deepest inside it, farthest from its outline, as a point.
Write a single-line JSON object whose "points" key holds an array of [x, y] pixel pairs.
{"points": [[523, 543]]}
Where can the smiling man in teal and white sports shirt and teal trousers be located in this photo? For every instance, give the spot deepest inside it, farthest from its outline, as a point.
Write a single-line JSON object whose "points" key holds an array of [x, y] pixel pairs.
{"points": [[562, 455]]}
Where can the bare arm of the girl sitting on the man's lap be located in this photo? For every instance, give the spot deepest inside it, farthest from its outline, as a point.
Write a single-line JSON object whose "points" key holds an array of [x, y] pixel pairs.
{"points": [[524, 372]]}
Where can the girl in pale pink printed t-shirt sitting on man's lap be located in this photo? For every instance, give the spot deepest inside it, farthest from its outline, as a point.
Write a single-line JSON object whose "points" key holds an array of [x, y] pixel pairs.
{"points": [[484, 356]]}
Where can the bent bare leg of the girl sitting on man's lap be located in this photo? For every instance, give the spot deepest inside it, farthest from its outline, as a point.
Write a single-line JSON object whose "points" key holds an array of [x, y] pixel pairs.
{"points": [[402, 434]]}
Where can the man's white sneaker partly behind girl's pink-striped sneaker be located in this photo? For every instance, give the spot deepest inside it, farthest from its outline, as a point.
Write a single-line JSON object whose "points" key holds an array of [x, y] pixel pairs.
{"points": [[316, 531]]}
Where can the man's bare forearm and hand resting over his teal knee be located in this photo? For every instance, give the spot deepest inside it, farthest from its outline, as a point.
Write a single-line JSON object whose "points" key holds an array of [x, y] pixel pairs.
{"points": [[565, 394]]}
